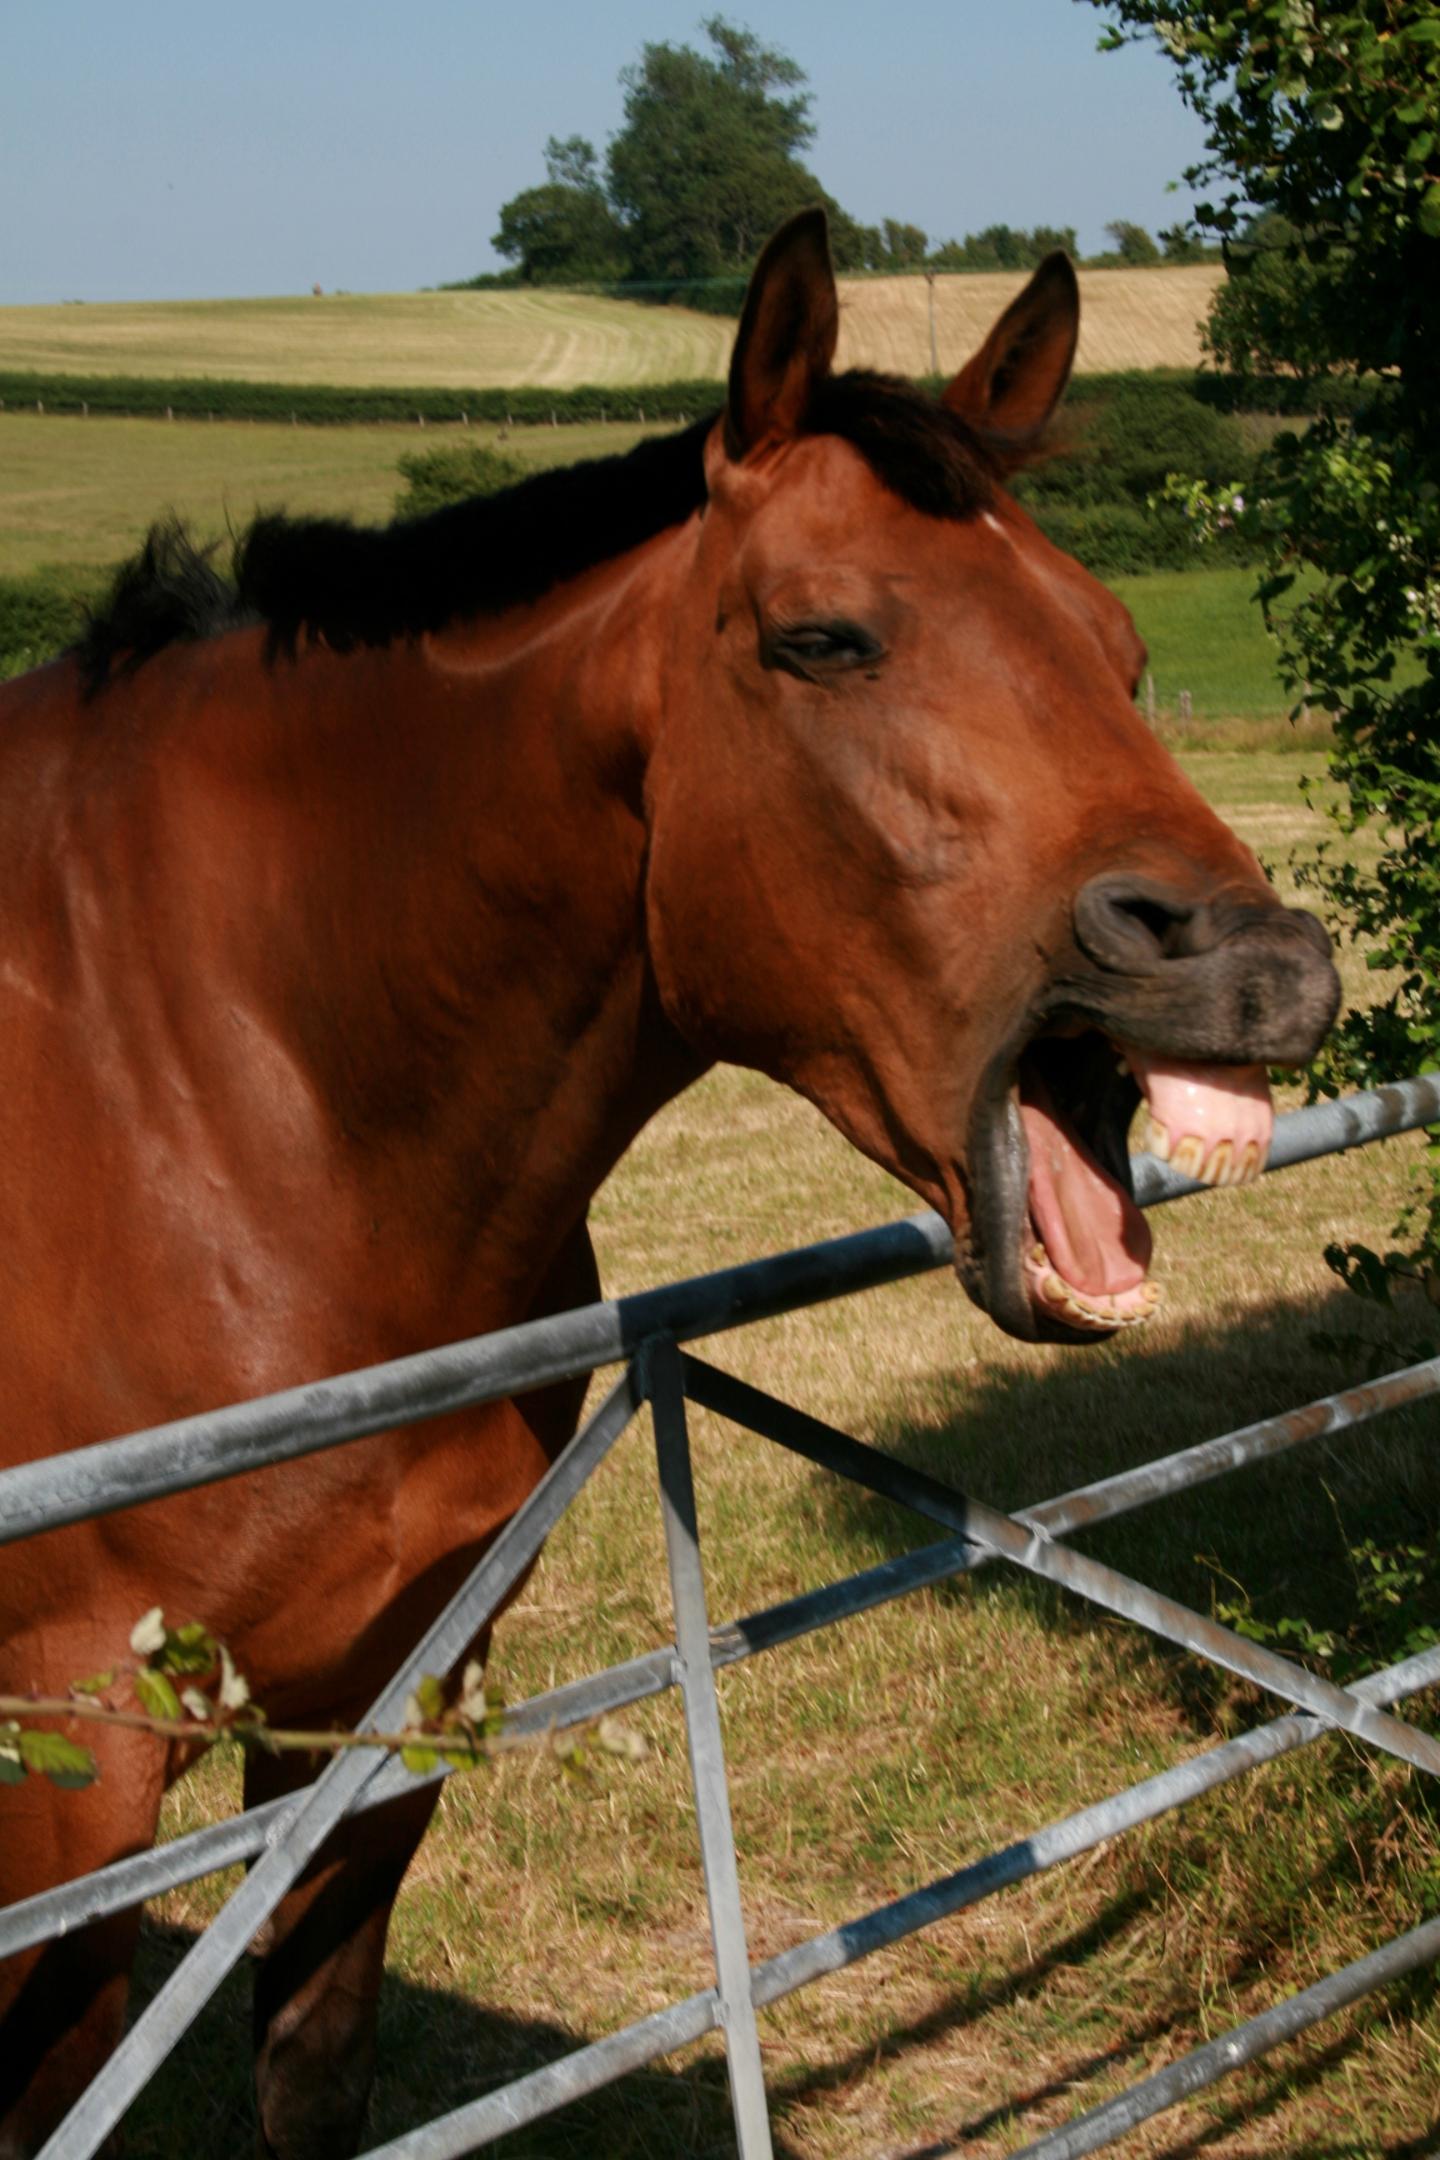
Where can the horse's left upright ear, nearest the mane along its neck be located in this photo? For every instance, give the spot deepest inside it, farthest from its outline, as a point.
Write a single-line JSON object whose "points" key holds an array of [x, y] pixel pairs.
{"points": [[787, 336]]}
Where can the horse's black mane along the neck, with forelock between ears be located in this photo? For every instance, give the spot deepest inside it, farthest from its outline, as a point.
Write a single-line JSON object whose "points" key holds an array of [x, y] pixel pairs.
{"points": [[368, 586]]}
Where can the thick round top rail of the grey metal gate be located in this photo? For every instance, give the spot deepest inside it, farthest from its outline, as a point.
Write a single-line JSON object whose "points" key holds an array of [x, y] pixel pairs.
{"points": [[433, 1383]]}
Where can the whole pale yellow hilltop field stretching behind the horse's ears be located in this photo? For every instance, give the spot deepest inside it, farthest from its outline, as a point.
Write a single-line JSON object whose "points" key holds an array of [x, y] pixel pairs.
{"points": [[472, 340]]}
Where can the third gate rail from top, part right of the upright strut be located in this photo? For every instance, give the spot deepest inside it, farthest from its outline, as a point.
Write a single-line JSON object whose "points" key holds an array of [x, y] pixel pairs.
{"points": [[1070, 1837]]}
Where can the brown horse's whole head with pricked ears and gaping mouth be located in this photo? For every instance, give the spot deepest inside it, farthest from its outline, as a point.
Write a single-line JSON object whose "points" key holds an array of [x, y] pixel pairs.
{"points": [[912, 848]]}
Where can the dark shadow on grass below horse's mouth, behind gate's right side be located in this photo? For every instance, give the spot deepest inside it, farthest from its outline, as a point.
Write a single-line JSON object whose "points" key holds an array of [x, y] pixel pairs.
{"points": [[1277, 1535]]}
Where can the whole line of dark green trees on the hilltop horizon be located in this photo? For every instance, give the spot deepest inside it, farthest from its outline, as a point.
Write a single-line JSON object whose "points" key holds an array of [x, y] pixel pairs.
{"points": [[707, 163]]}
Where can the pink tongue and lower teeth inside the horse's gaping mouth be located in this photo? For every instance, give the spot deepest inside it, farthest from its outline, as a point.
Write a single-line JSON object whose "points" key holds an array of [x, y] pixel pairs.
{"points": [[1093, 1234]]}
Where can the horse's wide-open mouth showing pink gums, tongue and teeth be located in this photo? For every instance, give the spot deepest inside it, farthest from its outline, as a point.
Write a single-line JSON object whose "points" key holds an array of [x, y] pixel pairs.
{"points": [[1065, 1250]]}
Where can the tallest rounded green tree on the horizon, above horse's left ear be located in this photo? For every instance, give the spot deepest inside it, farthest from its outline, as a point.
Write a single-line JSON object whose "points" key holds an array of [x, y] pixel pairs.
{"points": [[707, 163]]}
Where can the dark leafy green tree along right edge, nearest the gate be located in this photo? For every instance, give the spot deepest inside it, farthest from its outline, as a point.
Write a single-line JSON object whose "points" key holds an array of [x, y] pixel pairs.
{"points": [[1329, 120]]}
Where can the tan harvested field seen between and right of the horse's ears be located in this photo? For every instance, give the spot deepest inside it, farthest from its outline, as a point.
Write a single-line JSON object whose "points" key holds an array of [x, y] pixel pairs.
{"points": [[1128, 319]]}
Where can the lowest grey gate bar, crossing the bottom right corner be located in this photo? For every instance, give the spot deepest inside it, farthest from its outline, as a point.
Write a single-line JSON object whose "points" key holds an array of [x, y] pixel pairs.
{"points": [[1240, 2047]]}
